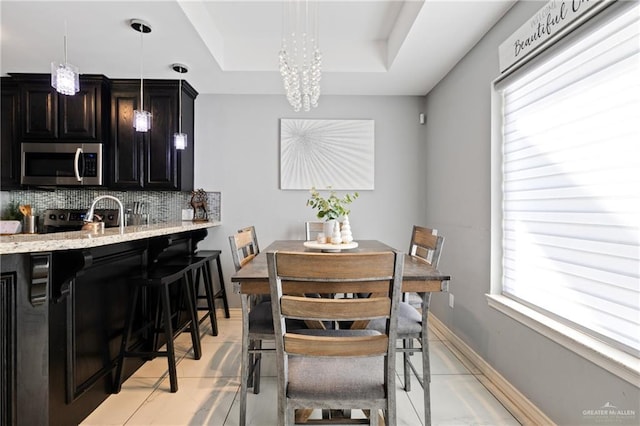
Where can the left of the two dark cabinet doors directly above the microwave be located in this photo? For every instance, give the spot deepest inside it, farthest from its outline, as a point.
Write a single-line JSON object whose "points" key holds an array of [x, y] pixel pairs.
{"points": [[40, 112]]}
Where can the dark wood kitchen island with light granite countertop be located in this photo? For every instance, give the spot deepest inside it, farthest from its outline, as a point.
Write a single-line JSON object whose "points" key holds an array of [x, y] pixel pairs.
{"points": [[63, 300]]}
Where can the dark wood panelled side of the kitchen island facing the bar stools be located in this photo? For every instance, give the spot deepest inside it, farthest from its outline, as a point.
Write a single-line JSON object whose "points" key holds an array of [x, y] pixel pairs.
{"points": [[87, 310]]}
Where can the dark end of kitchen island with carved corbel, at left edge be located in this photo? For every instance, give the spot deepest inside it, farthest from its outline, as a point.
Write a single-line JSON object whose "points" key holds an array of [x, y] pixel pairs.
{"points": [[24, 339]]}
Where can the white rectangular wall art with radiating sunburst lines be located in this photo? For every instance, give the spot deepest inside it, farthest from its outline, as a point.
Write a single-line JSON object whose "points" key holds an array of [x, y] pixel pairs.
{"points": [[326, 153]]}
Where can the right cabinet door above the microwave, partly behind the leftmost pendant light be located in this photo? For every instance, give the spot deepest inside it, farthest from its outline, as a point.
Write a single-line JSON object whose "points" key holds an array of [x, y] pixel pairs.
{"points": [[80, 113]]}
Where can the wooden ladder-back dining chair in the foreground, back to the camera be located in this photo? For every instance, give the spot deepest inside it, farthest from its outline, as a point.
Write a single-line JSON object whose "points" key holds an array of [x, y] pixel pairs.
{"points": [[337, 369]]}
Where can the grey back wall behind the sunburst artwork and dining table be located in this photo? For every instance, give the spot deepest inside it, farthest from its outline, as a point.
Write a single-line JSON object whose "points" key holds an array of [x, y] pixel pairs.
{"points": [[237, 152]]}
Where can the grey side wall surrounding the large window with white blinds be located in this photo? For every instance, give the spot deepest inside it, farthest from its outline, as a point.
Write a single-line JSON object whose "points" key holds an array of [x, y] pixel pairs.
{"points": [[457, 190]]}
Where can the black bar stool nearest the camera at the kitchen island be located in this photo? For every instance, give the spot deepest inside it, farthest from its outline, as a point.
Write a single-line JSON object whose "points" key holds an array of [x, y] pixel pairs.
{"points": [[159, 278]]}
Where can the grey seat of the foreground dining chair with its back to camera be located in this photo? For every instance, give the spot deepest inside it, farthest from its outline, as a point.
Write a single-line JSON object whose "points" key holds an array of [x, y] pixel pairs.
{"points": [[335, 379]]}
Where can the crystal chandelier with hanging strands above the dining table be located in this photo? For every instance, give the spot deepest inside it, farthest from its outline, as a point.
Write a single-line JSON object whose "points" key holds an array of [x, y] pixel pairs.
{"points": [[300, 57]]}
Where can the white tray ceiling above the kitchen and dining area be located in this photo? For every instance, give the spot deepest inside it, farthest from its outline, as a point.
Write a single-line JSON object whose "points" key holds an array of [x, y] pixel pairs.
{"points": [[374, 47]]}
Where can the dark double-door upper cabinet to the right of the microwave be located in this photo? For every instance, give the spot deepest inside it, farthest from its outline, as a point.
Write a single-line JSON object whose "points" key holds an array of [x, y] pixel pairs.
{"points": [[149, 160]]}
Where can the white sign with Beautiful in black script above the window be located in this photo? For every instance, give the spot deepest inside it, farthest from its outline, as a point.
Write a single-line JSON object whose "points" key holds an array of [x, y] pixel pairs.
{"points": [[544, 26]]}
